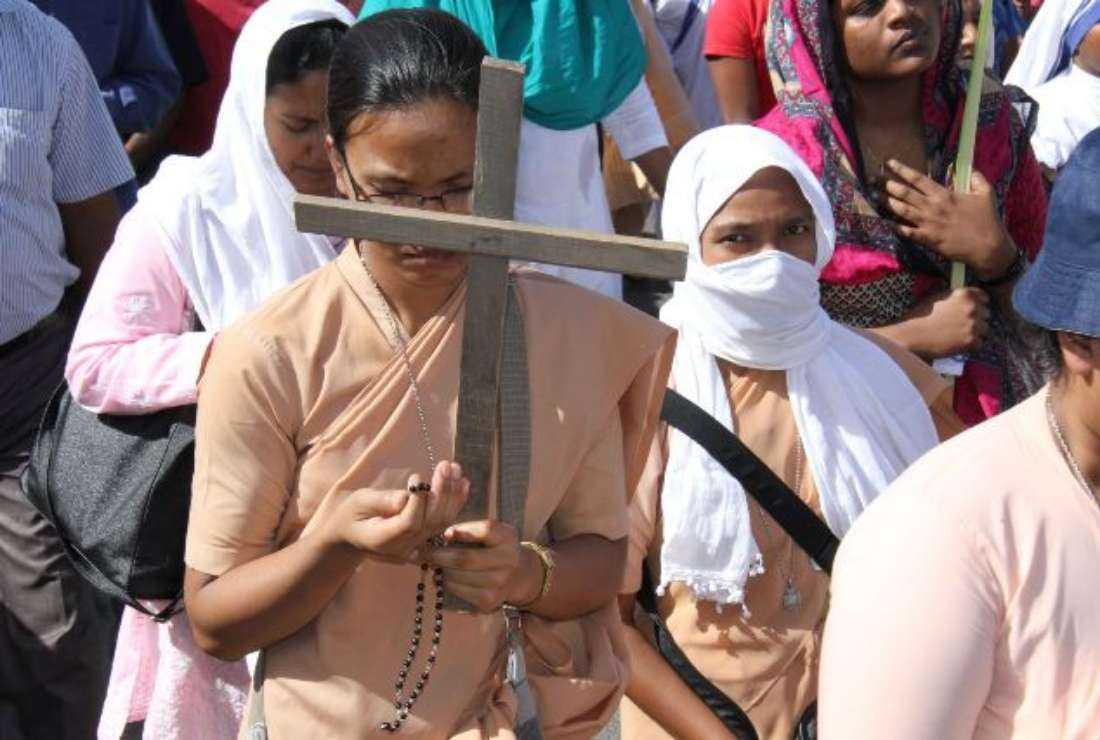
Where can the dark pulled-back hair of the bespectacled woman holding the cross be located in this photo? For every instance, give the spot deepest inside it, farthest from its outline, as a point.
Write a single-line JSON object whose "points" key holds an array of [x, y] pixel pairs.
{"points": [[400, 59]]}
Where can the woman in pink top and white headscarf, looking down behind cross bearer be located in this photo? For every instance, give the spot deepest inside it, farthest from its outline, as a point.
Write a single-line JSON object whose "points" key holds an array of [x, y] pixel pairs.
{"points": [[210, 239]]}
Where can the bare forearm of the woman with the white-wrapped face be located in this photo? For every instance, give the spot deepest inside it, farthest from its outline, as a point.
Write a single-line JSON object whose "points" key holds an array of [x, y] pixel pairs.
{"points": [[656, 689]]}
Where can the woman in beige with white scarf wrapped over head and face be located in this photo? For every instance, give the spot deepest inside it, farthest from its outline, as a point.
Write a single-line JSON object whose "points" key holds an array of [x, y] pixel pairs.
{"points": [[837, 414]]}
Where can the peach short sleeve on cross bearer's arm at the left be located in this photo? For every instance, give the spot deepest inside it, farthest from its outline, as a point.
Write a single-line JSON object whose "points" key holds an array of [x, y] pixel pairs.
{"points": [[246, 460]]}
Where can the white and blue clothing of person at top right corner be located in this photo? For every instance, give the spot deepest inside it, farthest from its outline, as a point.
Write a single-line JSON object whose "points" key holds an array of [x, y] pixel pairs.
{"points": [[1069, 97]]}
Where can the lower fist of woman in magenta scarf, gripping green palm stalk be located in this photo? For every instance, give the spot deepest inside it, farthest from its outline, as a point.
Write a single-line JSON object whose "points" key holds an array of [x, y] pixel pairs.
{"points": [[948, 324]]}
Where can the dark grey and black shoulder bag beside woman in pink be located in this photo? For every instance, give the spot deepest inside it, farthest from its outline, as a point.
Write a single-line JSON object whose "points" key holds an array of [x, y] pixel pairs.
{"points": [[118, 491]]}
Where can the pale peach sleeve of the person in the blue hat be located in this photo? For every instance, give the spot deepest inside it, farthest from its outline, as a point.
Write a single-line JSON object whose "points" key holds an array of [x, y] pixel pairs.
{"points": [[915, 620]]}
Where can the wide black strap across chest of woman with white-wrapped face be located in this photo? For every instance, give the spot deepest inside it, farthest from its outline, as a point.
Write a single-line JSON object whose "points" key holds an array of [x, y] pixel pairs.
{"points": [[774, 496]]}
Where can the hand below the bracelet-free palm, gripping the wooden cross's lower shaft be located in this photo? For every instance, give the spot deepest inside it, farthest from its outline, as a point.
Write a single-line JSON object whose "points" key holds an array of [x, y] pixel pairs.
{"points": [[490, 576]]}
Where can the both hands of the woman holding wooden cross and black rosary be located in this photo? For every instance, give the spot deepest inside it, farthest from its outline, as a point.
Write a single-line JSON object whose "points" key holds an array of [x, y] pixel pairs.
{"points": [[400, 527]]}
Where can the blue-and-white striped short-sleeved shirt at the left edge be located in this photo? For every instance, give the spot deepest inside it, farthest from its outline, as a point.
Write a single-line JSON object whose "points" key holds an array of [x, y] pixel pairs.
{"points": [[58, 146]]}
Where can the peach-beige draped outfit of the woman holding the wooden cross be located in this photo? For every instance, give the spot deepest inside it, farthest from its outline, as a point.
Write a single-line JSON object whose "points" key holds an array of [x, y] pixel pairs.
{"points": [[304, 401]]}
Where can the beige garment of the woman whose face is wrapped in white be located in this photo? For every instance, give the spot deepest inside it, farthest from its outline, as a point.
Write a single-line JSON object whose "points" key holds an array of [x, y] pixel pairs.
{"points": [[765, 660]]}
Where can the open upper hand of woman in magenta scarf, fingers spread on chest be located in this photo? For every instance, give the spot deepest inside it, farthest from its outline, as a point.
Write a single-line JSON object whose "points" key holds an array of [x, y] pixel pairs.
{"points": [[961, 227]]}
